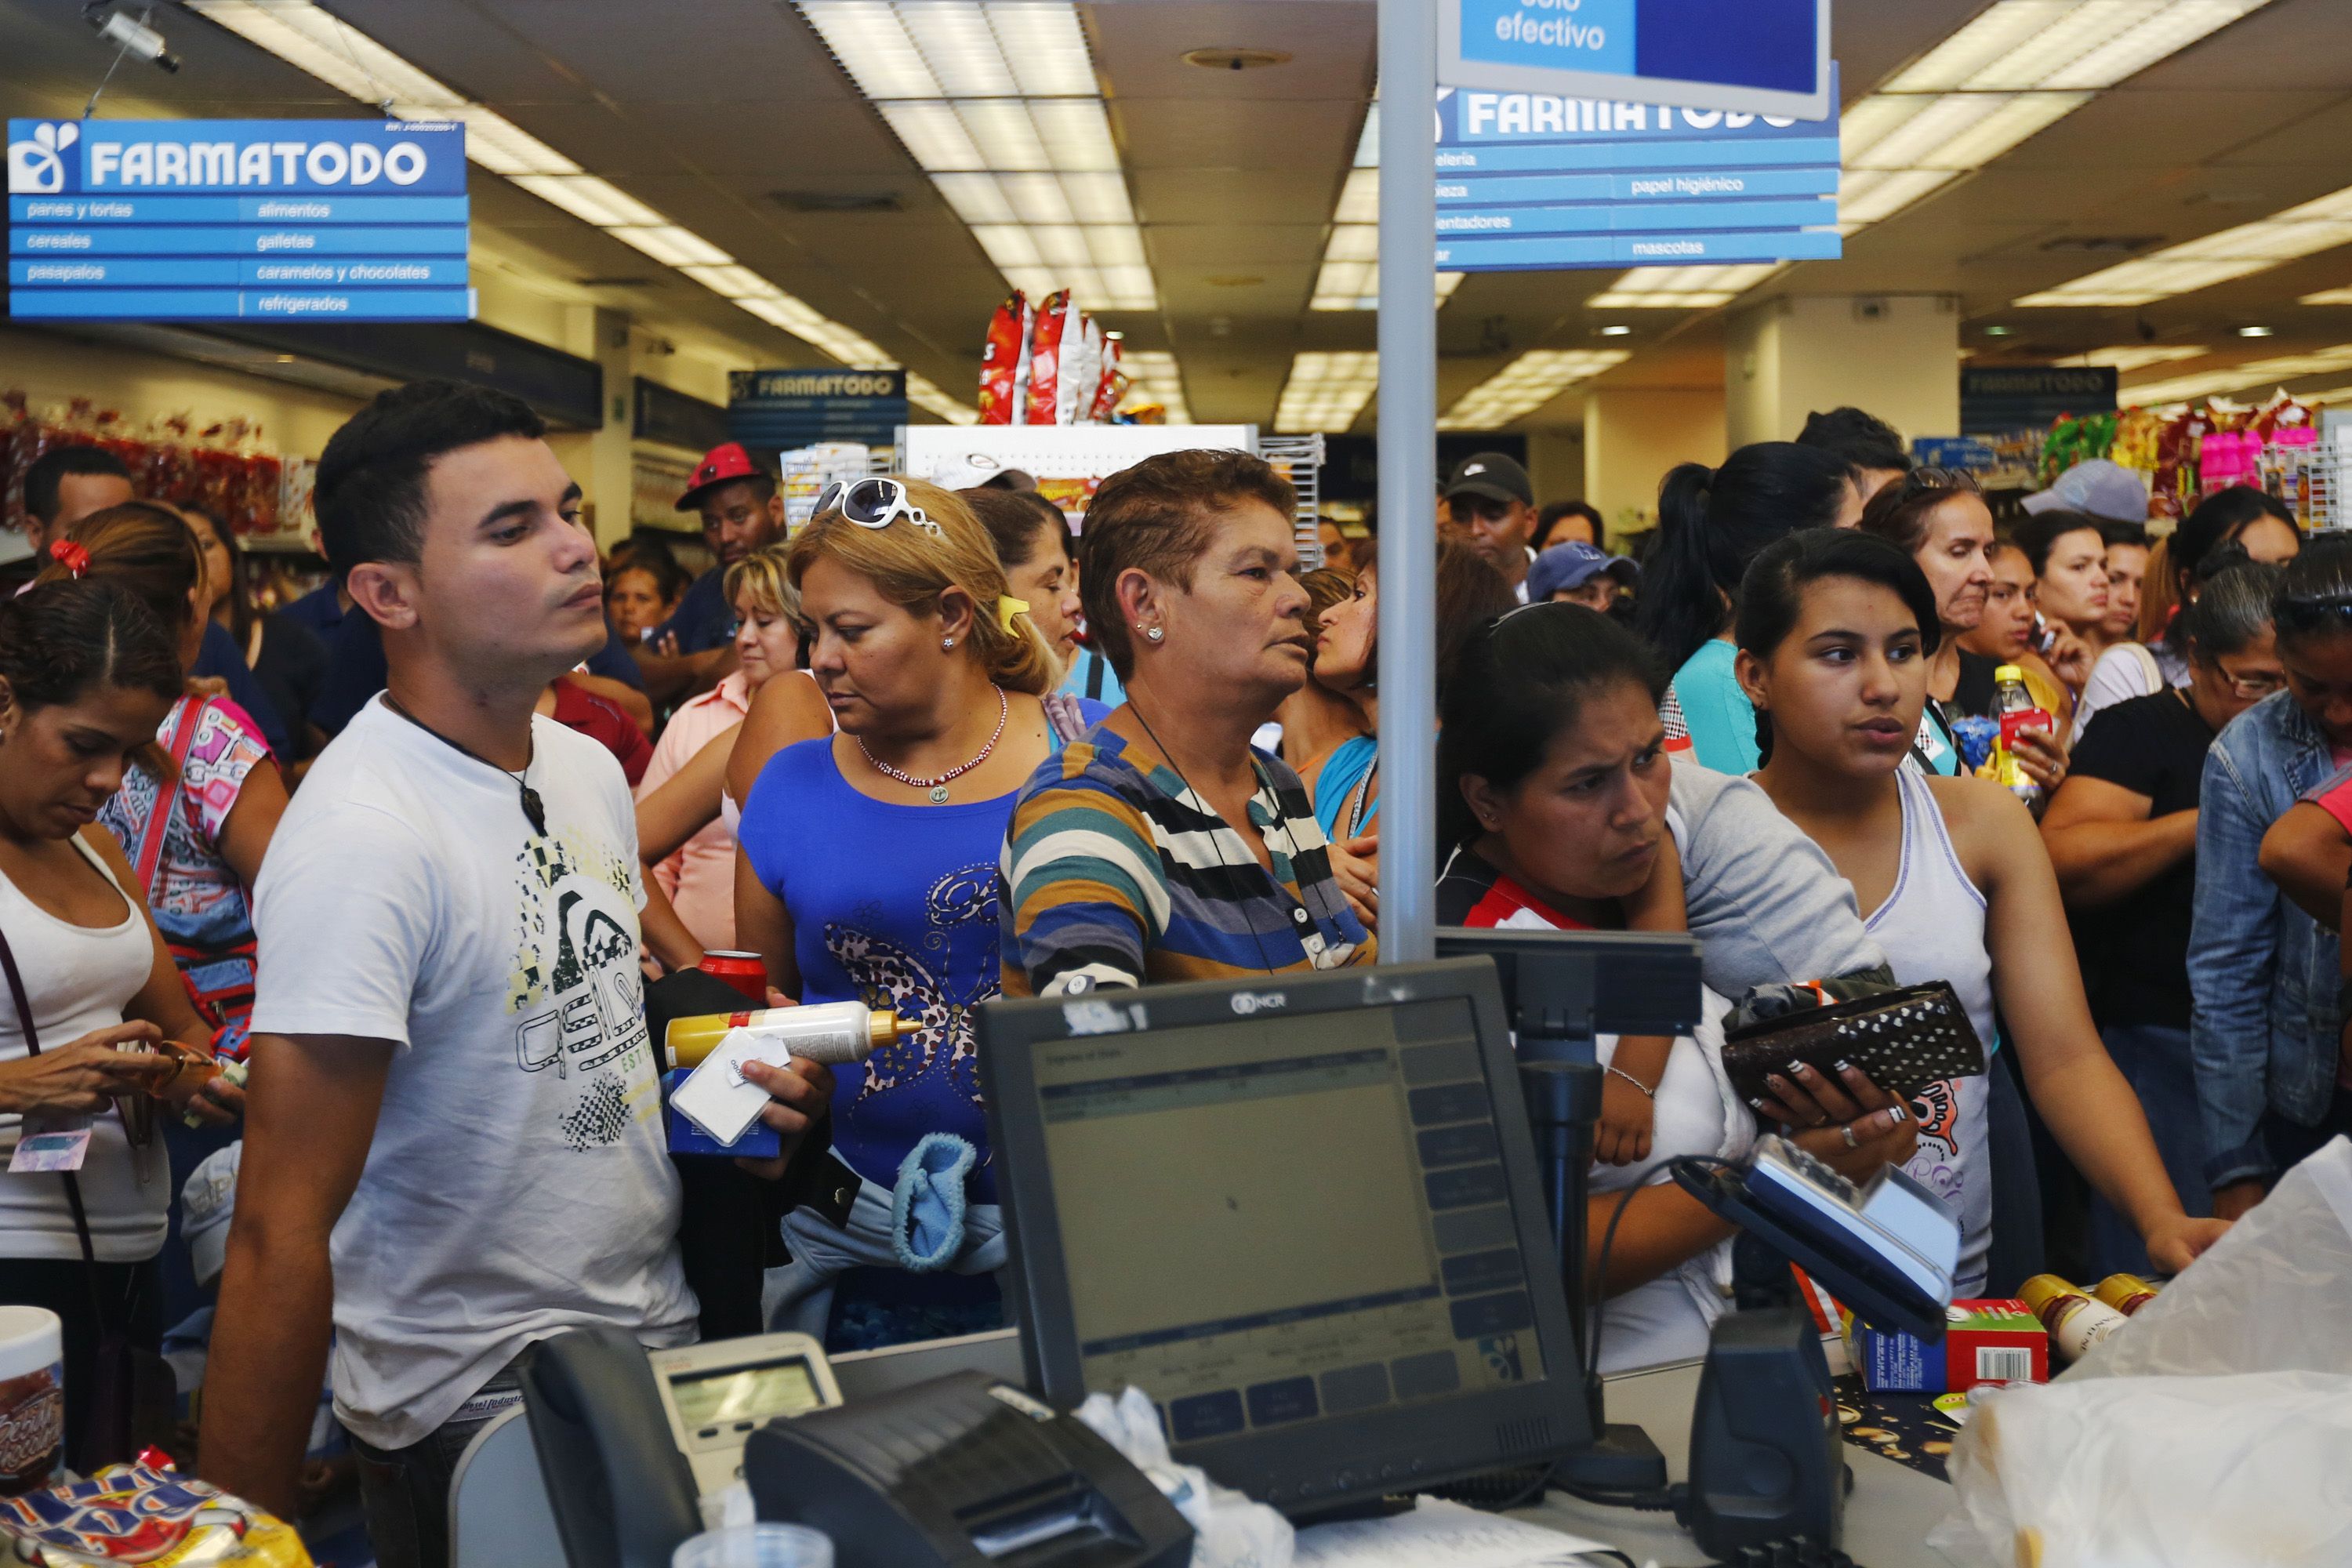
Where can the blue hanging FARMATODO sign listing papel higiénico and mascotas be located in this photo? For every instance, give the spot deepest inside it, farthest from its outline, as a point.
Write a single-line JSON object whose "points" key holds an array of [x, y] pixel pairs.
{"points": [[1537, 182]]}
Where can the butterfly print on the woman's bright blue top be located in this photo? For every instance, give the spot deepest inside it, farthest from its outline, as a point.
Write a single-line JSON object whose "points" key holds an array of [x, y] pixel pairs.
{"points": [[940, 1007]]}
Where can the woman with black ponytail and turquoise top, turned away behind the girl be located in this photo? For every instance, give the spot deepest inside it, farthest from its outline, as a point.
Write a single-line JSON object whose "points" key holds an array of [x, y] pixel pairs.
{"points": [[1711, 525]]}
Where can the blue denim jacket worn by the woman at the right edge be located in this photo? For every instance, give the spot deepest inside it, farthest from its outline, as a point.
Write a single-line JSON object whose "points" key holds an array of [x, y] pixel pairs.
{"points": [[2261, 972]]}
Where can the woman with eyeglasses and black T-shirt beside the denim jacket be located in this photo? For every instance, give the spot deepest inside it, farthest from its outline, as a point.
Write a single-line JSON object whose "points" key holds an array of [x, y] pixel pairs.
{"points": [[2123, 838]]}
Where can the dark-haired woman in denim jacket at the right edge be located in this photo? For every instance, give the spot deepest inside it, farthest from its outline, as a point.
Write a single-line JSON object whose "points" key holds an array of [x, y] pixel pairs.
{"points": [[2264, 974]]}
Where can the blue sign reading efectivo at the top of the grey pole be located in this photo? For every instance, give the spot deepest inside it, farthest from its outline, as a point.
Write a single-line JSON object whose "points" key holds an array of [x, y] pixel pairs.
{"points": [[1735, 55]]}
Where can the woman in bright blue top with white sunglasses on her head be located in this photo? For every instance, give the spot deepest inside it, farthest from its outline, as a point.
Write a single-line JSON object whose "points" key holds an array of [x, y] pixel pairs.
{"points": [[869, 873]]}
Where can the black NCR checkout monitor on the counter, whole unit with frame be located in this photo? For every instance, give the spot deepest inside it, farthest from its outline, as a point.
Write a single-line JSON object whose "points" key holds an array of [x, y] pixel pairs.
{"points": [[1302, 1214]]}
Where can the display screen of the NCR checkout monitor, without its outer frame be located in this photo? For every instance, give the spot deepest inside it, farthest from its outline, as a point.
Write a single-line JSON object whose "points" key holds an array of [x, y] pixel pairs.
{"points": [[1288, 1219]]}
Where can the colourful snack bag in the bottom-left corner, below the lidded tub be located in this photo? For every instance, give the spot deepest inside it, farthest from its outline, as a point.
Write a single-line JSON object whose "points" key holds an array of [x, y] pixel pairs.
{"points": [[145, 1515]]}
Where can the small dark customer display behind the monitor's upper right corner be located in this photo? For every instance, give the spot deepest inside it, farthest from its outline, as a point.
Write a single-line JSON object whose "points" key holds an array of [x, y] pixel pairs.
{"points": [[1570, 986]]}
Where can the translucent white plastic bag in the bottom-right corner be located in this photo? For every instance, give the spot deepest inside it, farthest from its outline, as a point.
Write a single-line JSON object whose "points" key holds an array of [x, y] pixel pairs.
{"points": [[2214, 1428]]}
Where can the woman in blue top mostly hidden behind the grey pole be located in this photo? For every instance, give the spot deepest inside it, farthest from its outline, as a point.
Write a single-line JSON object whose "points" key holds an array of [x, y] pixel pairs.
{"points": [[1349, 662]]}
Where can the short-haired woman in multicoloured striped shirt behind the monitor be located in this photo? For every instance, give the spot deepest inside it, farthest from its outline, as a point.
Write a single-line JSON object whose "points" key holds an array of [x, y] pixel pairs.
{"points": [[1163, 847]]}
